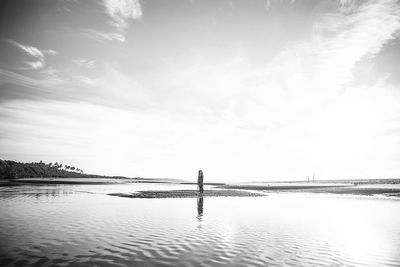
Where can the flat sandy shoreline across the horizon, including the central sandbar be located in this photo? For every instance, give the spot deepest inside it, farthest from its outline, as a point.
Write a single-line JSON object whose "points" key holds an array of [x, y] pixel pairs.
{"points": [[391, 188]]}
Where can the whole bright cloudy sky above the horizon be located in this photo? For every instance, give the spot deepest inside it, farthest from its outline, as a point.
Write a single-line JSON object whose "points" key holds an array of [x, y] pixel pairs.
{"points": [[258, 90]]}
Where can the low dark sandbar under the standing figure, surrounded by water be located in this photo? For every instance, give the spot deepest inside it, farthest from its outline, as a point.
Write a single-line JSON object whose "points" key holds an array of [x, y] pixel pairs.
{"points": [[189, 194]]}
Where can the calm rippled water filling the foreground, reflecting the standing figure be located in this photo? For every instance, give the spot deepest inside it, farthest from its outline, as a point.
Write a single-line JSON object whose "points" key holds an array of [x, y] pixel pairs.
{"points": [[80, 224]]}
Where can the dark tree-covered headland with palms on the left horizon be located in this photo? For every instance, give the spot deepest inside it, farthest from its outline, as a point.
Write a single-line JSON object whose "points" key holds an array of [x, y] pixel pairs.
{"points": [[12, 170]]}
